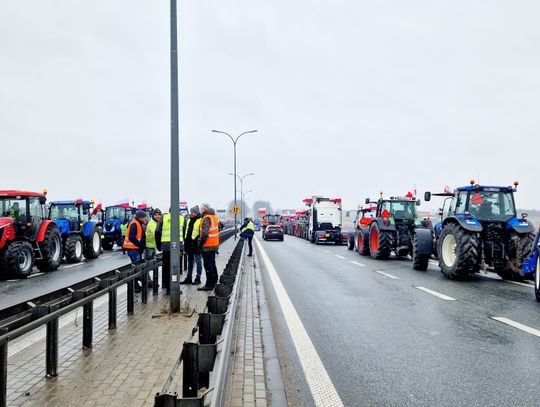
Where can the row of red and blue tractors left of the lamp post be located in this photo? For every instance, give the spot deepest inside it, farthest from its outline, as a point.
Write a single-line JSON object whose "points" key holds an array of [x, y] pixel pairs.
{"points": [[34, 233]]}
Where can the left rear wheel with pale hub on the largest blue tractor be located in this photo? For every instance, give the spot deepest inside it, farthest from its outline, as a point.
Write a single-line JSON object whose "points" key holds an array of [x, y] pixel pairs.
{"points": [[459, 252]]}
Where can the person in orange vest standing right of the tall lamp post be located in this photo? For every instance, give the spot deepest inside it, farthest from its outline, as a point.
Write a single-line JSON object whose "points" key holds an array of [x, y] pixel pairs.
{"points": [[209, 243]]}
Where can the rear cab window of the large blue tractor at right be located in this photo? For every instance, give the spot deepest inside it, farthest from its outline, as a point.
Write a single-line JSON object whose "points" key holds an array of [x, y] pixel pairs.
{"points": [[492, 206]]}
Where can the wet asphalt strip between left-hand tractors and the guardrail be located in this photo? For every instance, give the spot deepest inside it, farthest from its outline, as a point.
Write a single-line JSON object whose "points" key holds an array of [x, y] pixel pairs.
{"points": [[16, 291]]}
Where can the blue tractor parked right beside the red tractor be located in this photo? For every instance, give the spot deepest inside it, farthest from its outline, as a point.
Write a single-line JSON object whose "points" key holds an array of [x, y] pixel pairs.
{"points": [[80, 235]]}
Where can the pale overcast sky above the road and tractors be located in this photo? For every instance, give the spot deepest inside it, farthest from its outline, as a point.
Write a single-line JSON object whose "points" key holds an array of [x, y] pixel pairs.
{"points": [[348, 96]]}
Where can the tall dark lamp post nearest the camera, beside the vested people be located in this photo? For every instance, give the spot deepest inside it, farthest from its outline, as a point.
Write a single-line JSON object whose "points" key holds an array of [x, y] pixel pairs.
{"points": [[175, 176]]}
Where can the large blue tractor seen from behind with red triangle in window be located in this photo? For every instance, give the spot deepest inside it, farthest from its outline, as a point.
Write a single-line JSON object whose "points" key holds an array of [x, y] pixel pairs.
{"points": [[479, 227]]}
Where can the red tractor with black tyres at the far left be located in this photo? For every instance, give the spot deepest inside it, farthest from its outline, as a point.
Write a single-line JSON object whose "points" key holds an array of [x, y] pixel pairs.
{"points": [[26, 235]]}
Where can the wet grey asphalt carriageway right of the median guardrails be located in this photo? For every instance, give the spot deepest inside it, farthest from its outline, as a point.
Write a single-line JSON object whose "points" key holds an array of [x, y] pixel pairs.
{"points": [[385, 342]]}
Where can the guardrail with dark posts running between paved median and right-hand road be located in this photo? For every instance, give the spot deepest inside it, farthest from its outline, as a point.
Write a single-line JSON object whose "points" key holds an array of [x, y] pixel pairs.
{"points": [[199, 359]]}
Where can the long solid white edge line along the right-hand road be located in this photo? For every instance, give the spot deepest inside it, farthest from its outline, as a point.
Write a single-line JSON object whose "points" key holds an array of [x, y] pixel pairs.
{"points": [[321, 386]]}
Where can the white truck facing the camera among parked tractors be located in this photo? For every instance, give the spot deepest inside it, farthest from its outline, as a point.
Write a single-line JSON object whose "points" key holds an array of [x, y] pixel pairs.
{"points": [[325, 221]]}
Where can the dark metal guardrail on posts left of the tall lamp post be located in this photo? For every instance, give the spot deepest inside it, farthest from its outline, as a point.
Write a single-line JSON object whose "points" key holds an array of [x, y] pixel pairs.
{"points": [[25, 317]]}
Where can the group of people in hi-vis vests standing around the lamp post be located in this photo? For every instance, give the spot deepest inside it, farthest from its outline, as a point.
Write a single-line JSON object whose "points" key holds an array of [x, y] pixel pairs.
{"points": [[198, 240]]}
